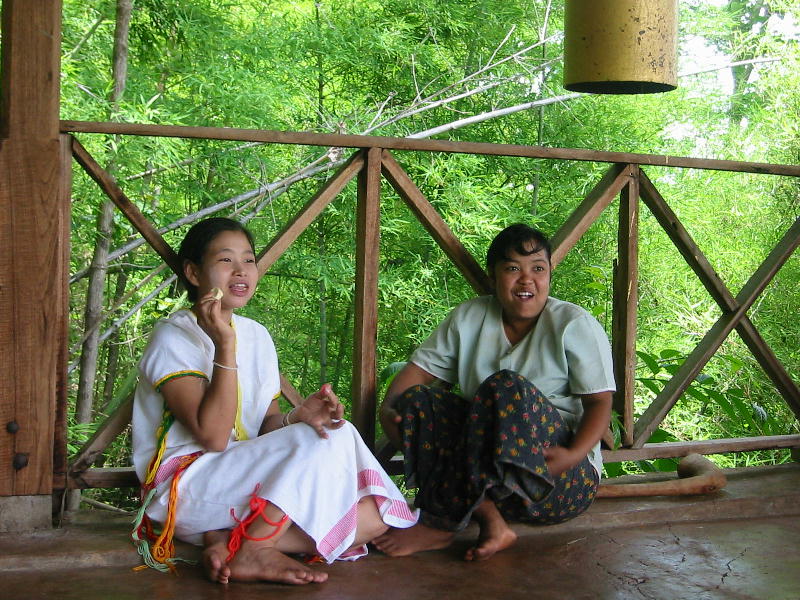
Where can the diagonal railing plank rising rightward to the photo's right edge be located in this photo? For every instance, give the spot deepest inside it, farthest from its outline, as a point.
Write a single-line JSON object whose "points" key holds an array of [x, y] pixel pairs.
{"points": [[658, 409]]}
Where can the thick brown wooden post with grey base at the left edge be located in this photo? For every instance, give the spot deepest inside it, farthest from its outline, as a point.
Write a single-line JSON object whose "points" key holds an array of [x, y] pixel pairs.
{"points": [[34, 234]]}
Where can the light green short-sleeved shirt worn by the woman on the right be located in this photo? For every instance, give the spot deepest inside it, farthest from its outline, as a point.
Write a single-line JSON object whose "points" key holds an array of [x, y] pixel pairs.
{"points": [[565, 355]]}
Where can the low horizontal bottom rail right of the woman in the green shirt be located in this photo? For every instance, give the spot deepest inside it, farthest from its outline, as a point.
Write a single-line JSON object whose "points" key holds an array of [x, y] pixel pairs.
{"points": [[721, 446]]}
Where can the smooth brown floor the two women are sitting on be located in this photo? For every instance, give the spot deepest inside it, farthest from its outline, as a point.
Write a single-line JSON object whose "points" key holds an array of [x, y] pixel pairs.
{"points": [[741, 543]]}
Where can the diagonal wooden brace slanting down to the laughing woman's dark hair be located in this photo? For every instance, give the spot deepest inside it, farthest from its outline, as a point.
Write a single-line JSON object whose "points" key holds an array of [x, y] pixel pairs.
{"points": [[435, 225]]}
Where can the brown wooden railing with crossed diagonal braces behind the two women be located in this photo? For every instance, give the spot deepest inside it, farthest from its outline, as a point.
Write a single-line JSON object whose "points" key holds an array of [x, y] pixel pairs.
{"points": [[624, 178]]}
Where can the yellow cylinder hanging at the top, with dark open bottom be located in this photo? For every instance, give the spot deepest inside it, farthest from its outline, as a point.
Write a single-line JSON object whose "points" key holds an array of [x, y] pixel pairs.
{"points": [[620, 46]]}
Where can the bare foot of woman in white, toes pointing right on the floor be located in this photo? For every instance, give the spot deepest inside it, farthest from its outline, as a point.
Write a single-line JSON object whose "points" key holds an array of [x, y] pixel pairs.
{"points": [[266, 563]]}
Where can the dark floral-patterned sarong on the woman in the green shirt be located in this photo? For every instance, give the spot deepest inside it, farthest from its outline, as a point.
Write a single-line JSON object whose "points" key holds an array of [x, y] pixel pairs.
{"points": [[459, 452]]}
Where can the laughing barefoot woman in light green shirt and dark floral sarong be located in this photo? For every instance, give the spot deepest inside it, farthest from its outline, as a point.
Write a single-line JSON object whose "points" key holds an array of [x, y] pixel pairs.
{"points": [[521, 440]]}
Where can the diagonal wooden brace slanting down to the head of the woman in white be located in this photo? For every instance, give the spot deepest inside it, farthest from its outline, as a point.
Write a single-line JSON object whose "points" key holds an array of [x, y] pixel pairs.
{"points": [[142, 224]]}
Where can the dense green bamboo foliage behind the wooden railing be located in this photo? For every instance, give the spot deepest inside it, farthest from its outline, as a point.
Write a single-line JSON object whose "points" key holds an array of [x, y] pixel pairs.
{"points": [[404, 67]]}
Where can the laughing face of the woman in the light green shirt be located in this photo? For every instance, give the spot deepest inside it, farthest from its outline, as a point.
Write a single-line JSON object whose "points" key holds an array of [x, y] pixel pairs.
{"points": [[522, 285]]}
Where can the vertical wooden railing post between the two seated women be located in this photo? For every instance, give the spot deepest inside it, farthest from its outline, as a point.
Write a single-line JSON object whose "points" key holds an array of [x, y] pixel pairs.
{"points": [[365, 336]]}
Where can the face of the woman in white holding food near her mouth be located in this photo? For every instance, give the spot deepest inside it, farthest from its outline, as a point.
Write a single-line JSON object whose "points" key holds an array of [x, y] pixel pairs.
{"points": [[229, 264]]}
